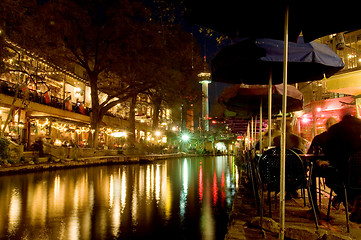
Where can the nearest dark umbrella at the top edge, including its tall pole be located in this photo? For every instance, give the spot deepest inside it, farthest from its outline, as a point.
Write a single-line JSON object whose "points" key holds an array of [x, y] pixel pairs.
{"points": [[269, 19]]}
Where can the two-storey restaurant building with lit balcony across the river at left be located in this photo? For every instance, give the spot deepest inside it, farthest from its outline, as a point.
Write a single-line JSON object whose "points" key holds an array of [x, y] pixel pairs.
{"points": [[57, 107]]}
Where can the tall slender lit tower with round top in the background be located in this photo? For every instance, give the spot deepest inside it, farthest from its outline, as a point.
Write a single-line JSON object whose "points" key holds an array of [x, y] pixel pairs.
{"points": [[205, 77]]}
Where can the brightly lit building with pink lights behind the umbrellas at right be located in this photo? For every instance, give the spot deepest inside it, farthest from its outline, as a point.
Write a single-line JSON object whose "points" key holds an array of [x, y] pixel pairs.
{"points": [[330, 97]]}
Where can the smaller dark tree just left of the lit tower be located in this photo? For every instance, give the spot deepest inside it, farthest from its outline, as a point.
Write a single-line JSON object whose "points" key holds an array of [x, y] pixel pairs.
{"points": [[178, 81]]}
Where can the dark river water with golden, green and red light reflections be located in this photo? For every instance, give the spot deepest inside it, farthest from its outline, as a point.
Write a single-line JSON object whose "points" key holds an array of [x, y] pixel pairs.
{"points": [[188, 198]]}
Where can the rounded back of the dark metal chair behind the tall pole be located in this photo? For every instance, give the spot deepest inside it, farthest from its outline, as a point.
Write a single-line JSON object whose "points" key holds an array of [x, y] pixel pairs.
{"points": [[269, 169]]}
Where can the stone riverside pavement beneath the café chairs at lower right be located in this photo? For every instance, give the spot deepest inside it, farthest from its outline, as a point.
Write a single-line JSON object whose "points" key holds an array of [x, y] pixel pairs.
{"points": [[299, 222]]}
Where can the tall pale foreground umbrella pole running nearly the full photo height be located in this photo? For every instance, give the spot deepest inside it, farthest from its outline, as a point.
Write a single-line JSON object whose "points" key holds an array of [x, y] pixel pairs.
{"points": [[283, 130]]}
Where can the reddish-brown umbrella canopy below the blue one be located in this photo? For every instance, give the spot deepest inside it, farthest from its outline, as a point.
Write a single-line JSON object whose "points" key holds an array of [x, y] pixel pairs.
{"points": [[245, 99]]}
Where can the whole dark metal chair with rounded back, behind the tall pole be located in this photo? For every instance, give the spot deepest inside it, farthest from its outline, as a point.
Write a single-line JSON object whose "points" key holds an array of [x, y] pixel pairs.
{"points": [[269, 176]]}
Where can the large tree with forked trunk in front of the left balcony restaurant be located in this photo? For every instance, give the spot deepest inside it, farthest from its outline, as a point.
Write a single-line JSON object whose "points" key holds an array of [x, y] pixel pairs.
{"points": [[98, 36]]}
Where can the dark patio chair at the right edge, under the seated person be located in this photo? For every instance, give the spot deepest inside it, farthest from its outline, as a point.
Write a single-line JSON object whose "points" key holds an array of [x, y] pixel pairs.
{"points": [[351, 183]]}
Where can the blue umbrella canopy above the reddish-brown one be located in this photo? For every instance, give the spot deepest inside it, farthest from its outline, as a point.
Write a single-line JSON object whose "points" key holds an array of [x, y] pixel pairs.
{"points": [[250, 61]]}
